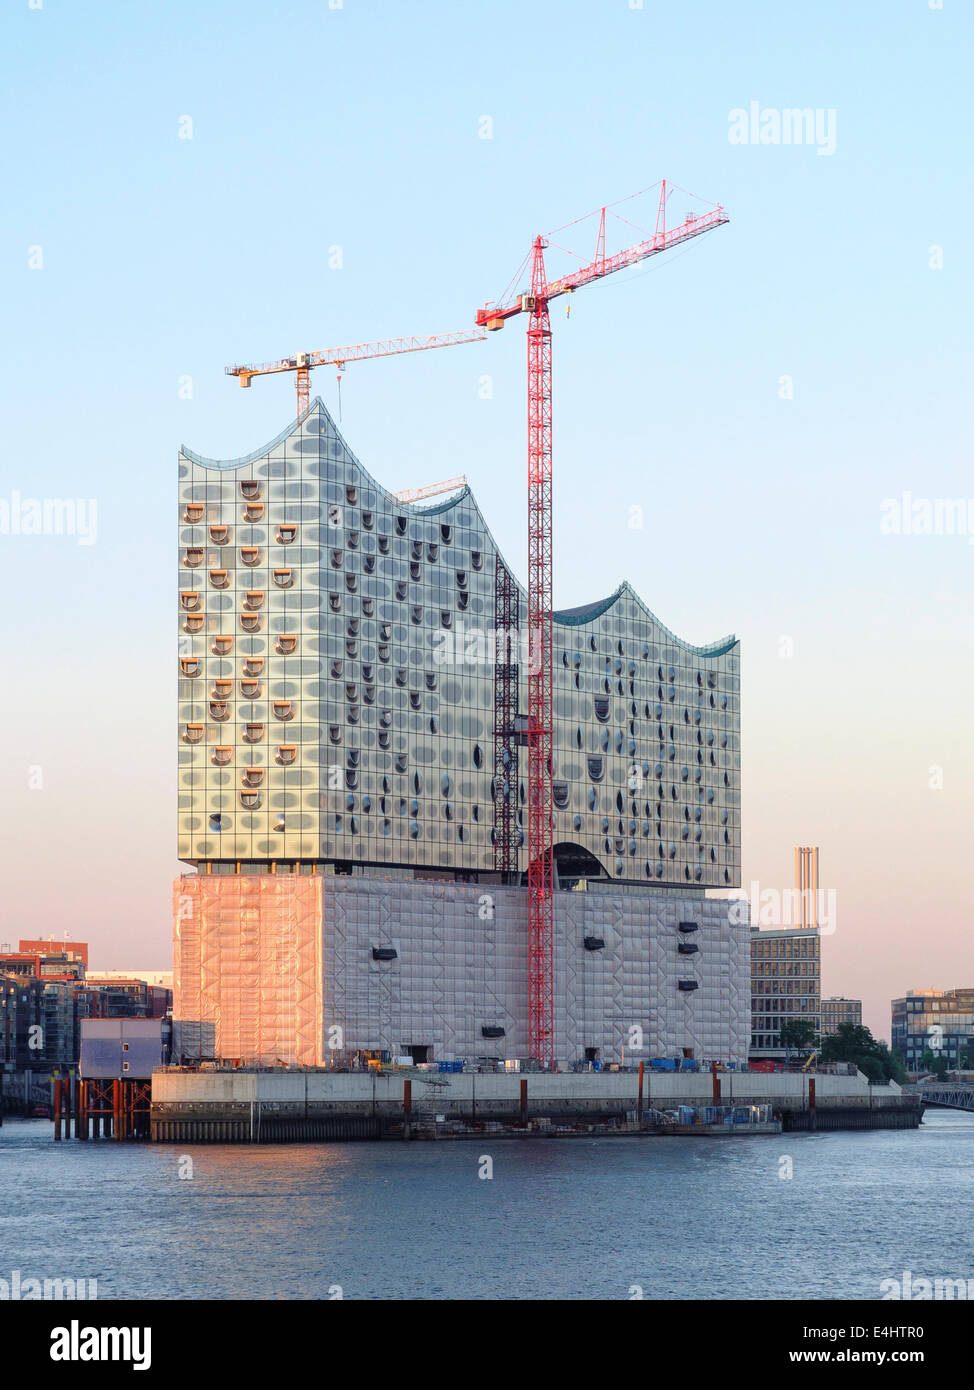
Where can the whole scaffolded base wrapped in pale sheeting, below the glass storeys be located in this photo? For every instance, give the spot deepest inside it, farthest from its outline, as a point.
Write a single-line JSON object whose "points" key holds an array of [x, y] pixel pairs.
{"points": [[283, 968]]}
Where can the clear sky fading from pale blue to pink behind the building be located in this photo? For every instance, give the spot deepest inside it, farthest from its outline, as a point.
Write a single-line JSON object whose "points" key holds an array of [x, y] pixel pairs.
{"points": [[765, 433]]}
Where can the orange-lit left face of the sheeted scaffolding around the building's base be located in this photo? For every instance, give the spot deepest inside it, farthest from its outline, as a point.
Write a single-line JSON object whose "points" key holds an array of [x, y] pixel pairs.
{"points": [[248, 970]]}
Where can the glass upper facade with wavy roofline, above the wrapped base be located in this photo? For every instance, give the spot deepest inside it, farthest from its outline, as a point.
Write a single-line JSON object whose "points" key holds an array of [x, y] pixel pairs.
{"points": [[337, 692]]}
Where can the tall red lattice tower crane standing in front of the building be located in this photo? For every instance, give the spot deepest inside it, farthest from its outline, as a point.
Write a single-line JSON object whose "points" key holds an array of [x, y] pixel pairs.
{"points": [[534, 302]]}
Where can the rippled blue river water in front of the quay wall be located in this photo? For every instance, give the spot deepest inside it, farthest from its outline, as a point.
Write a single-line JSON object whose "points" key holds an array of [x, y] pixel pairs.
{"points": [[584, 1218]]}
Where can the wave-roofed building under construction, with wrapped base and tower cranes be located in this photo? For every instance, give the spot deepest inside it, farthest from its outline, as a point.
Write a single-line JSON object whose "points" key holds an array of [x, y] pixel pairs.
{"points": [[427, 815]]}
